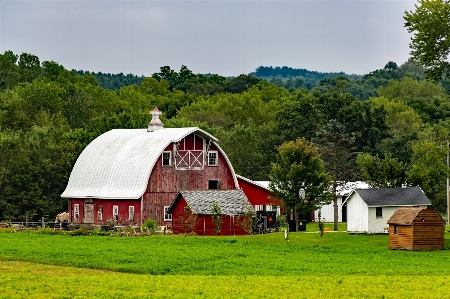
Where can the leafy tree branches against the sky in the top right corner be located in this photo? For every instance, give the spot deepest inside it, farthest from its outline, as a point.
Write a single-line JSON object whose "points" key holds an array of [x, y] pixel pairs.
{"points": [[430, 44]]}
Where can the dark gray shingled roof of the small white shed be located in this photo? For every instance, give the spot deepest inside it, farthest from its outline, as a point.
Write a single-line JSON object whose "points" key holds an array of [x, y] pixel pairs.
{"points": [[410, 196]]}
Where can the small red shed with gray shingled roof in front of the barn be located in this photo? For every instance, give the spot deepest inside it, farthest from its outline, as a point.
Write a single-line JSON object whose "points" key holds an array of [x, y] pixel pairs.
{"points": [[232, 203]]}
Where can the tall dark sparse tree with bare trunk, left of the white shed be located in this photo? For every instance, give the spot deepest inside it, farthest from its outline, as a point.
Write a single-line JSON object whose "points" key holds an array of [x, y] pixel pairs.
{"points": [[339, 158]]}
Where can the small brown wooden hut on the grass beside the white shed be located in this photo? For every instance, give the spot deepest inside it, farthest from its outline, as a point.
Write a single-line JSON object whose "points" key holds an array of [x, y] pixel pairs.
{"points": [[416, 229]]}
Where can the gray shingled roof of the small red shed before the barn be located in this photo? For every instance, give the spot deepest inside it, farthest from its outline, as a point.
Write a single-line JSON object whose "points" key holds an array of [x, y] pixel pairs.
{"points": [[231, 202]]}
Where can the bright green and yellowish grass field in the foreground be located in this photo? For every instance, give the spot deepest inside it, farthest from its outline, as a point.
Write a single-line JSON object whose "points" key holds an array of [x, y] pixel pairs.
{"points": [[341, 266]]}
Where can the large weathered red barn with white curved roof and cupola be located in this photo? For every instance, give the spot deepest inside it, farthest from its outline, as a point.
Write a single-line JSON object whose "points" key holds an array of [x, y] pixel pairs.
{"points": [[130, 175]]}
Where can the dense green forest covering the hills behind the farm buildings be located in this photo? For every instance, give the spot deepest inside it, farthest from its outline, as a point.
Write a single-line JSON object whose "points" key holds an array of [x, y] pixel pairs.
{"points": [[389, 128]]}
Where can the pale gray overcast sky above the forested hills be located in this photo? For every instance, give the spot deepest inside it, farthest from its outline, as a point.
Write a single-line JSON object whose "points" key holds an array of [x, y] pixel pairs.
{"points": [[228, 38]]}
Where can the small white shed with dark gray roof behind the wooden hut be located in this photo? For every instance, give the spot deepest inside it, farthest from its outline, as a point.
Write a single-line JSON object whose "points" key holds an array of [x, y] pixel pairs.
{"points": [[368, 210]]}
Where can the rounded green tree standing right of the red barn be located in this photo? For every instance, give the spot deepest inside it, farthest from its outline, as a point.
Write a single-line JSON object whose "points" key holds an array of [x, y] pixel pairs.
{"points": [[298, 166]]}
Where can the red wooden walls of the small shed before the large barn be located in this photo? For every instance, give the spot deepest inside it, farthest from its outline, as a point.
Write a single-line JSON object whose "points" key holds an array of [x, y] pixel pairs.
{"points": [[204, 226]]}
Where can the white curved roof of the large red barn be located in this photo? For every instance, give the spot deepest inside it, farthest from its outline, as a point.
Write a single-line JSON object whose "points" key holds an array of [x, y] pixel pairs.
{"points": [[118, 163]]}
